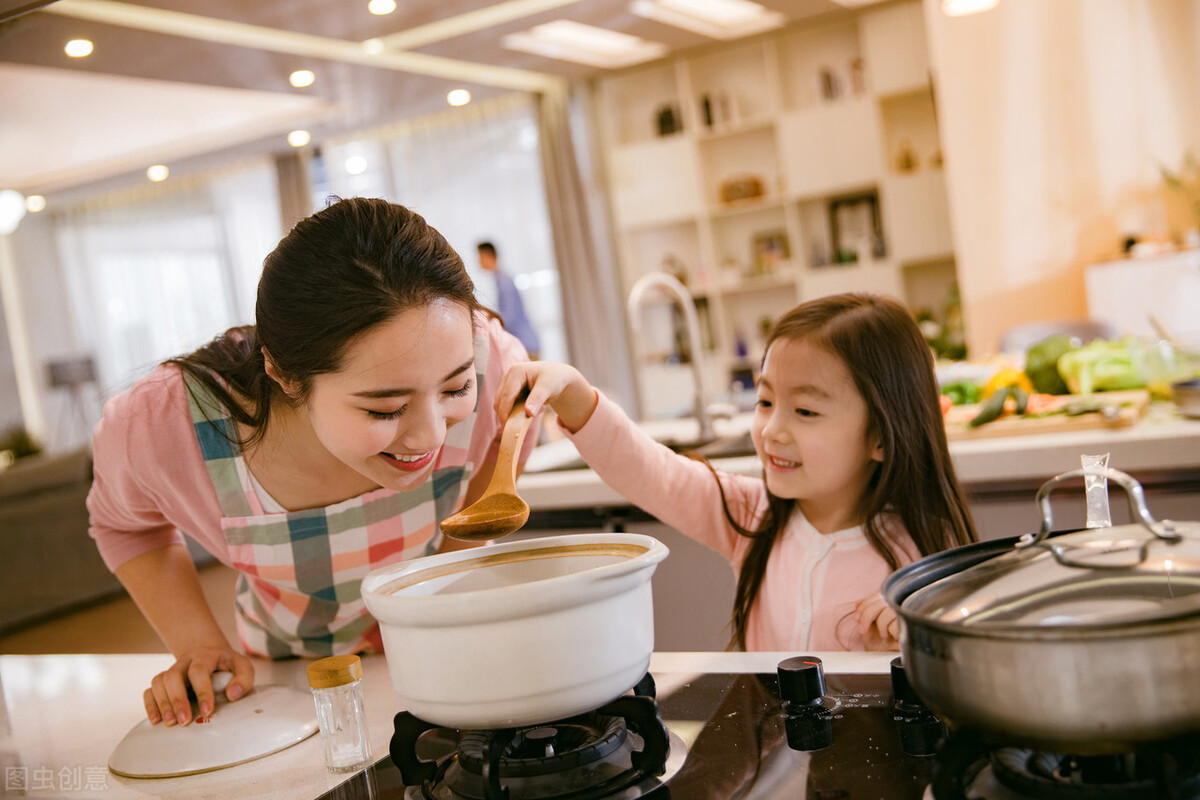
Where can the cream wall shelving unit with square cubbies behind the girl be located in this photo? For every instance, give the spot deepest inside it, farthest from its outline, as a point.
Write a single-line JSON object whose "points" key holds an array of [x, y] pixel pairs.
{"points": [[836, 127]]}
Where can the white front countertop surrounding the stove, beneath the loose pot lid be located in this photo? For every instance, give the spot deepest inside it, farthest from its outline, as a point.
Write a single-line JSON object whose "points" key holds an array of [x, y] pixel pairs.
{"points": [[63, 715]]}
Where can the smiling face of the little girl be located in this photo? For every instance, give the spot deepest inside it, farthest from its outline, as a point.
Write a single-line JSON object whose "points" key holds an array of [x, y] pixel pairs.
{"points": [[811, 431]]}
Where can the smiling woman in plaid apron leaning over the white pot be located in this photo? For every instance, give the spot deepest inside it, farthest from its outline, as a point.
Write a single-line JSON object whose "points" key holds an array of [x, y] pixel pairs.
{"points": [[304, 452]]}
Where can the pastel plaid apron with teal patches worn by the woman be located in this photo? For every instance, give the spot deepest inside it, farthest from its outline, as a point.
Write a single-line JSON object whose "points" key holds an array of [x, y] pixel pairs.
{"points": [[301, 572]]}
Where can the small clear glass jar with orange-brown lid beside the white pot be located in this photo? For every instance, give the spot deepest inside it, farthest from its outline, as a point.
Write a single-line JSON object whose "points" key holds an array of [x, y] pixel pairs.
{"points": [[337, 687]]}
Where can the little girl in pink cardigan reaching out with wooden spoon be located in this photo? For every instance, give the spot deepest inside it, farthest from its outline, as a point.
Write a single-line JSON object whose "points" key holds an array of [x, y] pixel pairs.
{"points": [[857, 483]]}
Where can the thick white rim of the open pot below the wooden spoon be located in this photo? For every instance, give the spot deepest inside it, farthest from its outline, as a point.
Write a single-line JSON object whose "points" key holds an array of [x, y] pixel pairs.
{"points": [[551, 594]]}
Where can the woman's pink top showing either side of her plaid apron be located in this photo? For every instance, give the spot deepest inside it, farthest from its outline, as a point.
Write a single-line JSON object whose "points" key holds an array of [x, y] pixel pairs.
{"points": [[152, 483]]}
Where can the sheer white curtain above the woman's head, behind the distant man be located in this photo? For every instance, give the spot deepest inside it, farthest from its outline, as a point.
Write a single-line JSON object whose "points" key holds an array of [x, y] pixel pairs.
{"points": [[476, 176]]}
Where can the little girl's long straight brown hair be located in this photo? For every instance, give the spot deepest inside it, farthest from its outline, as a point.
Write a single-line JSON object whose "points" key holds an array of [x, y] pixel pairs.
{"points": [[893, 369]]}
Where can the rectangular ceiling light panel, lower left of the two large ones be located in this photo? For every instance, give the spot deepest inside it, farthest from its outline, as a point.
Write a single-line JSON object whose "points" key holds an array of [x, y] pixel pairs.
{"points": [[571, 41]]}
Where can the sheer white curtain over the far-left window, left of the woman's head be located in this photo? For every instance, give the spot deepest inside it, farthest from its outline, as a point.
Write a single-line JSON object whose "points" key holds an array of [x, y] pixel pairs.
{"points": [[163, 270]]}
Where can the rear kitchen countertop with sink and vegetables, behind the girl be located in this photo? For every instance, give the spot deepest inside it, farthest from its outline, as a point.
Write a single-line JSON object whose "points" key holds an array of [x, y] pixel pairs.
{"points": [[1162, 442]]}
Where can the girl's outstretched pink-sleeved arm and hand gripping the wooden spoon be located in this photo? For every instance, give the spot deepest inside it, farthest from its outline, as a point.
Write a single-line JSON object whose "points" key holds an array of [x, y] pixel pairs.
{"points": [[681, 492]]}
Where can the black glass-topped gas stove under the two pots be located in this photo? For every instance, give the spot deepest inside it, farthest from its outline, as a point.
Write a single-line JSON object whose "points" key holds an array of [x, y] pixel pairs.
{"points": [[800, 732]]}
